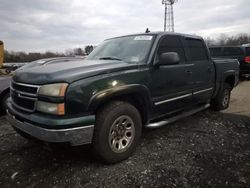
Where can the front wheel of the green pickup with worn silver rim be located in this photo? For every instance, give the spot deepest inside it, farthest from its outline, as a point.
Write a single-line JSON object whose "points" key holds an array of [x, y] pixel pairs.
{"points": [[117, 132]]}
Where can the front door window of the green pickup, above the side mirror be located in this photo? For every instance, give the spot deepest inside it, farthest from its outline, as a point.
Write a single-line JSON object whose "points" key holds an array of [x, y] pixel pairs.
{"points": [[172, 44]]}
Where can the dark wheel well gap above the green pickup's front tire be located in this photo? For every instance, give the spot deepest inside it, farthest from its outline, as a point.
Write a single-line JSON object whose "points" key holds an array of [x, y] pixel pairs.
{"points": [[135, 99]]}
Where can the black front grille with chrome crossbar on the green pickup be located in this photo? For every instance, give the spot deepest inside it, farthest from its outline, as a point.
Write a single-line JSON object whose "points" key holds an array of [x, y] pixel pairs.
{"points": [[24, 96]]}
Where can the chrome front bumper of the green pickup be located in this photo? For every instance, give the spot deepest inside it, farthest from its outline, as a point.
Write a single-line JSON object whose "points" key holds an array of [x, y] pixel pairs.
{"points": [[75, 136]]}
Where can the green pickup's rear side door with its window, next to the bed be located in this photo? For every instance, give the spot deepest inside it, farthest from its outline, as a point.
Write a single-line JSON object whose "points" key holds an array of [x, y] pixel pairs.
{"points": [[203, 70]]}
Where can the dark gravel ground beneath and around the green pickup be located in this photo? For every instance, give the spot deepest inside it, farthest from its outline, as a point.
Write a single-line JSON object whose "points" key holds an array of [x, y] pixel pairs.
{"points": [[209, 149]]}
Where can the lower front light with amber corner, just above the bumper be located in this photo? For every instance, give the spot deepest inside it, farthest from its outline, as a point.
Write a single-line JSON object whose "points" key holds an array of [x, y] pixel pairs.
{"points": [[51, 108]]}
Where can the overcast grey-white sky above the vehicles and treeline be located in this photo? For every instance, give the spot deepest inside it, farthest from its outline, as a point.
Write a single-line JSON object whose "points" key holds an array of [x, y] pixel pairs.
{"points": [[56, 25]]}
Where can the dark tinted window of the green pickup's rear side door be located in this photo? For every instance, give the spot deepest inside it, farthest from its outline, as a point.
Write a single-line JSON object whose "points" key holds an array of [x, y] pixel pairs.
{"points": [[197, 50]]}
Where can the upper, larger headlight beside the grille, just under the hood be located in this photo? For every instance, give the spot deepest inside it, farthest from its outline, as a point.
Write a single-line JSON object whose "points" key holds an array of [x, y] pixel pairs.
{"points": [[54, 90]]}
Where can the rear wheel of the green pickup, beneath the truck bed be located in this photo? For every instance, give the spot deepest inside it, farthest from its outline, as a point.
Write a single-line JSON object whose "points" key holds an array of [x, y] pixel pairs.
{"points": [[222, 100]]}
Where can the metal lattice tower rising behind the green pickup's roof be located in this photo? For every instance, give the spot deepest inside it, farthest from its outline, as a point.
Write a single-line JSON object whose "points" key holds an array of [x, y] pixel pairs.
{"points": [[169, 15]]}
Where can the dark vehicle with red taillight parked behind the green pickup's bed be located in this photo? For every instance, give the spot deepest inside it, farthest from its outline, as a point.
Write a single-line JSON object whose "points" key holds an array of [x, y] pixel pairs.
{"points": [[241, 53]]}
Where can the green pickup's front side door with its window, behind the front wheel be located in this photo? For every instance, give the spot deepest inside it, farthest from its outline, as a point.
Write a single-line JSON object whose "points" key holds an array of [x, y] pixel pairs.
{"points": [[171, 86]]}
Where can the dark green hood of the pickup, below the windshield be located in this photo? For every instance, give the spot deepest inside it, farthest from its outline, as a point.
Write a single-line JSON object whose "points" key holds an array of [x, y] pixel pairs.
{"points": [[69, 71]]}
